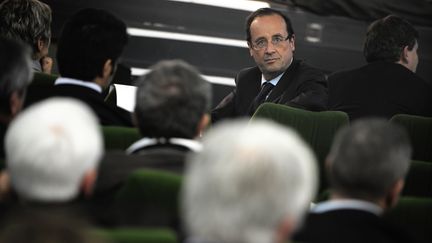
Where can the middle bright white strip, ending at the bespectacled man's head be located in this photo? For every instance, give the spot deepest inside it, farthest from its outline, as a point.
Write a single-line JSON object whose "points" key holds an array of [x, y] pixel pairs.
{"points": [[186, 37]]}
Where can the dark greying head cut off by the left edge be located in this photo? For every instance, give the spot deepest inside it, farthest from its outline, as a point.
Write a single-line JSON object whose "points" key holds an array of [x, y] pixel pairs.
{"points": [[15, 71]]}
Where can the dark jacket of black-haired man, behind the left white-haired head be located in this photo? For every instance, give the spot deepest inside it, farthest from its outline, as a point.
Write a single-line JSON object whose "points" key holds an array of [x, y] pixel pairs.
{"points": [[108, 114]]}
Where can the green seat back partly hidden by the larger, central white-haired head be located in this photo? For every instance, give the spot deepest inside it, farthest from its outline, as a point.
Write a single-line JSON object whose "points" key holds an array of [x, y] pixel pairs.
{"points": [[318, 129]]}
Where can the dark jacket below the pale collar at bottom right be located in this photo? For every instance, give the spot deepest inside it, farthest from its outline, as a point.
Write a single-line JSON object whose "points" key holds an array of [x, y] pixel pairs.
{"points": [[349, 225]]}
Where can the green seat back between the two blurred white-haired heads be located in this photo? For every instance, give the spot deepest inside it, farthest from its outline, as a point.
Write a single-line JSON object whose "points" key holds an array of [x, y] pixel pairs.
{"points": [[150, 197]]}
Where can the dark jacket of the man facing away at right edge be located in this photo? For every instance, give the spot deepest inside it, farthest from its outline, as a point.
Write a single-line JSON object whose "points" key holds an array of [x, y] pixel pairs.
{"points": [[380, 89]]}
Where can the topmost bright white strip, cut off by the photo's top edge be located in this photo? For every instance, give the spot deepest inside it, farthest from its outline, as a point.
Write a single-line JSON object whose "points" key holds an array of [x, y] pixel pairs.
{"points": [[245, 5]]}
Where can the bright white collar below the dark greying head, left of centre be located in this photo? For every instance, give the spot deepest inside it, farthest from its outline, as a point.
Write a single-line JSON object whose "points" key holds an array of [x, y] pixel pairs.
{"points": [[145, 142]]}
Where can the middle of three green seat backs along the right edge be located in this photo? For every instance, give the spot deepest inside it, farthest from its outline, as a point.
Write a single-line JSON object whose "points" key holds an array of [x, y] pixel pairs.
{"points": [[418, 182]]}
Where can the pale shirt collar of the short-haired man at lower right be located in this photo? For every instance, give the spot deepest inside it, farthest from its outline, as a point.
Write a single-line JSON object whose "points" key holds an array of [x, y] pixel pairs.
{"points": [[338, 204]]}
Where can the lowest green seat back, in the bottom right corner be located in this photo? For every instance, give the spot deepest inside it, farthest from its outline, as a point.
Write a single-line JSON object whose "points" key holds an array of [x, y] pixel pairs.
{"points": [[413, 214]]}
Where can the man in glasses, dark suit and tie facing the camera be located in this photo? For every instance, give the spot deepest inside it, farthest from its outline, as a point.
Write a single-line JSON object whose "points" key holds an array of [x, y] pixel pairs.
{"points": [[271, 41]]}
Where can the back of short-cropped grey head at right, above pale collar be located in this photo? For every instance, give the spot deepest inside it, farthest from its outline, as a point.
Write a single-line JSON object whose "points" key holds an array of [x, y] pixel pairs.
{"points": [[367, 158]]}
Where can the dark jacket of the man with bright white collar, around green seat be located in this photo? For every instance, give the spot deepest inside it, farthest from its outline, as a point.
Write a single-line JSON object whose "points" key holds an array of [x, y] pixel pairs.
{"points": [[113, 172]]}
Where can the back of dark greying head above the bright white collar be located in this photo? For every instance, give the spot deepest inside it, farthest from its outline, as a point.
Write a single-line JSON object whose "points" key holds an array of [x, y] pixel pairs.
{"points": [[171, 100]]}
